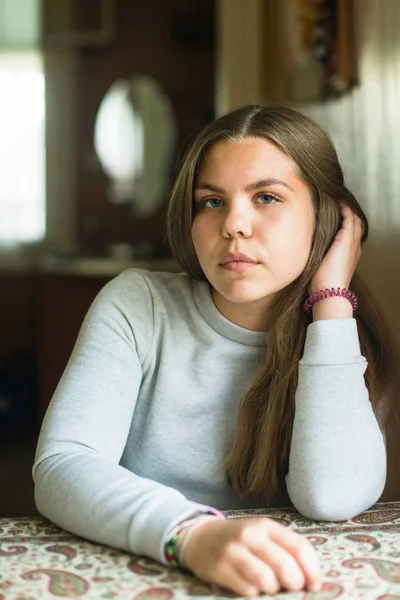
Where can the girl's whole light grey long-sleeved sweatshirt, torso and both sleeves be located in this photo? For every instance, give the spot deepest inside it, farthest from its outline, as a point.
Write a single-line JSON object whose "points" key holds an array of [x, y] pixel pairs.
{"points": [[145, 413]]}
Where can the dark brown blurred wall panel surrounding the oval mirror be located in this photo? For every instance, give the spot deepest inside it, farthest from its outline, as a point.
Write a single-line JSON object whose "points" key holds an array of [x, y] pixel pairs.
{"points": [[173, 42]]}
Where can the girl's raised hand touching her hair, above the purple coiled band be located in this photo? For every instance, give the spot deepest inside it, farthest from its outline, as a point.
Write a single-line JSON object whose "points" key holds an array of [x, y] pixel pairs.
{"points": [[339, 264]]}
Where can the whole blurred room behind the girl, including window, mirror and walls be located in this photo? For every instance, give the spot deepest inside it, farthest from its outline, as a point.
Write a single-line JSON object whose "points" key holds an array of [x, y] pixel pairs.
{"points": [[98, 98]]}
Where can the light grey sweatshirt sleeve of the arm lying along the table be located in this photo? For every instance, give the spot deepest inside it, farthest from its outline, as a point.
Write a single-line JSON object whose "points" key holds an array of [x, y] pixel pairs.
{"points": [[79, 484]]}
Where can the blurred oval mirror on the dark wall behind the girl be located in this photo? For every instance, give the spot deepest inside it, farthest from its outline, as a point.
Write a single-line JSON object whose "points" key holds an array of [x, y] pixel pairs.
{"points": [[134, 139]]}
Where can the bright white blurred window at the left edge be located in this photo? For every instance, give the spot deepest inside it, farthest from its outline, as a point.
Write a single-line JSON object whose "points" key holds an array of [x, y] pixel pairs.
{"points": [[22, 148]]}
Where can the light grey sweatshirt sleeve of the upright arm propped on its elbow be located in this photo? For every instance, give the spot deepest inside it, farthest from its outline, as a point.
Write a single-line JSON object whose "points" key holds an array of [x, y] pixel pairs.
{"points": [[337, 465]]}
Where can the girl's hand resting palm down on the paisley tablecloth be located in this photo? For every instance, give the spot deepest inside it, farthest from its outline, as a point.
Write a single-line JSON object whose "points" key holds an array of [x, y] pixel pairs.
{"points": [[253, 556]]}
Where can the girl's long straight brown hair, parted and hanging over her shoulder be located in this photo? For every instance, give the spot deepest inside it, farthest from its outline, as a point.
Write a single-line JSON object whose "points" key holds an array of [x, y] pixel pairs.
{"points": [[261, 447]]}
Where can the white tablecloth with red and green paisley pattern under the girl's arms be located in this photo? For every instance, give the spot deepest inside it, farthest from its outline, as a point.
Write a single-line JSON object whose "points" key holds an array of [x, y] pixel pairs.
{"points": [[360, 559]]}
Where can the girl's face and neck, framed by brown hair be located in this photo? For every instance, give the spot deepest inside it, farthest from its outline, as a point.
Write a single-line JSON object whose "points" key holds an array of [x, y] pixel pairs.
{"points": [[253, 226]]}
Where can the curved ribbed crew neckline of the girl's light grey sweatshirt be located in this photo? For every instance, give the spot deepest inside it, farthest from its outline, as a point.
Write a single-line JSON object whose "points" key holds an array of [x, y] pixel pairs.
{"points": [[206, 307]]}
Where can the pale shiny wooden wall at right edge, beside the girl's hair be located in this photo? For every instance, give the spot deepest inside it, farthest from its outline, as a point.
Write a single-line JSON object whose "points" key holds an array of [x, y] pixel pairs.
{"points": [[365, 126]]}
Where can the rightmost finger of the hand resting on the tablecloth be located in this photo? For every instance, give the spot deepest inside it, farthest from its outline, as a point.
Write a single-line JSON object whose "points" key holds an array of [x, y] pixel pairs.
{"points": [[301, 551]]}
